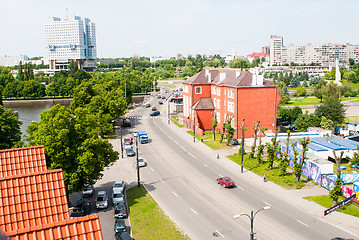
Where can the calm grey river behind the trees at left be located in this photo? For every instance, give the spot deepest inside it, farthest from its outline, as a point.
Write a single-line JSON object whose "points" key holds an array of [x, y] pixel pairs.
{"points": [[30, 110]]}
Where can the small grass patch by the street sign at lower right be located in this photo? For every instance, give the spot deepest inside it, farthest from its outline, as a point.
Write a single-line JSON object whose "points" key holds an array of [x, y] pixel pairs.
{"points": [[351, 208]]}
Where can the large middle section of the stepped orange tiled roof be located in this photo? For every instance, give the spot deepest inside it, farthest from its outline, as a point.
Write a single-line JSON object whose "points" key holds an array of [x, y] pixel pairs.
{"points": [[32, 199]]}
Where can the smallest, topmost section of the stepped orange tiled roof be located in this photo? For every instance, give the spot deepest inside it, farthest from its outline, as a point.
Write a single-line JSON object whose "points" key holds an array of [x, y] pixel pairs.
{"points": [[22, 160]]}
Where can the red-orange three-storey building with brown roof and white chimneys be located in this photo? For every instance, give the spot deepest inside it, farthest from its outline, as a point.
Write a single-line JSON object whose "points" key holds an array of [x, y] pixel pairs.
{"points": [[229, 95]]}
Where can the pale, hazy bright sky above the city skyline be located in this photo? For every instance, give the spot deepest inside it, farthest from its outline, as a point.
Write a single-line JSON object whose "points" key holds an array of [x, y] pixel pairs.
{"points": [[168, 27]]}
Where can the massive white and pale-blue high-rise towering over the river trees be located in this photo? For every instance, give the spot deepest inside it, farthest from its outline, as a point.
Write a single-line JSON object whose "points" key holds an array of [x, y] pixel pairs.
{"points": [[70, 38]]}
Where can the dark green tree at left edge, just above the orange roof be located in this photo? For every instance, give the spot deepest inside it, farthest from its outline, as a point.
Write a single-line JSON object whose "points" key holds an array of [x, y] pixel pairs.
{"points": [[10, 133]]}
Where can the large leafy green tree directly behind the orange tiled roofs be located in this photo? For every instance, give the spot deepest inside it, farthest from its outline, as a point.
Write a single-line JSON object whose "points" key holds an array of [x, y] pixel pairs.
{"points": [[72, 142]]}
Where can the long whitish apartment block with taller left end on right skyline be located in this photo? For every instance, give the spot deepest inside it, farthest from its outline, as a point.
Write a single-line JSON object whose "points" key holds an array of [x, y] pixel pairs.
{"points": [[324, 54]]}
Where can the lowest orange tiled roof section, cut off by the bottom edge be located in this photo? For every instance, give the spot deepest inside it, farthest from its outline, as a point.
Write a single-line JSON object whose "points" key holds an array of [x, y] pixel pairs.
{"points": [[87, 227]]}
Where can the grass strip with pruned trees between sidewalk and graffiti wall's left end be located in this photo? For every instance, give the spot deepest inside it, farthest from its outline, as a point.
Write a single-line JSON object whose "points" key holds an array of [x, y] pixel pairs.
{"points": [[287, 181]]}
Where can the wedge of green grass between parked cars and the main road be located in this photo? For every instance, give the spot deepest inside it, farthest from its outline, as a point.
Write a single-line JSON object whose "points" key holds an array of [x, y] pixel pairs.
{"points": [[148, 221]]}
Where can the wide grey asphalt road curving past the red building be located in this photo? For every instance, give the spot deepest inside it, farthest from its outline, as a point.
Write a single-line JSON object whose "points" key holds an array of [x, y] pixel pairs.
{"points": [[181, 177]]}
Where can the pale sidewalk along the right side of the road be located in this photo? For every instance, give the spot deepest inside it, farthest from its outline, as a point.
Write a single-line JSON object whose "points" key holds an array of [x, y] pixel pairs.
{"points": [[345, 222]]}
